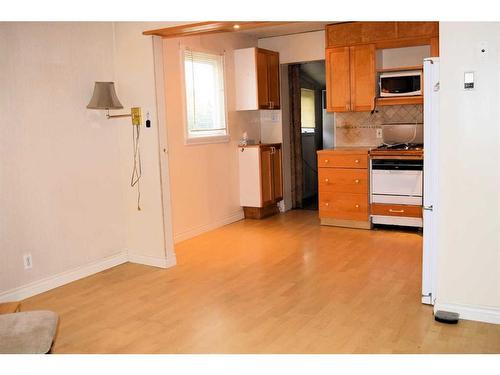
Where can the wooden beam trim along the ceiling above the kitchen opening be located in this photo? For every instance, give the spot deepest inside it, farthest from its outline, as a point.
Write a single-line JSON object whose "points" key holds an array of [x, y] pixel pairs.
{"points": [[209, 27]]}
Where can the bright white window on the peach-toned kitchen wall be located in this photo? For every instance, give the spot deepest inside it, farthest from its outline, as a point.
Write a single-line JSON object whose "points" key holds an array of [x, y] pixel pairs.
{"points": [[205, 101]]}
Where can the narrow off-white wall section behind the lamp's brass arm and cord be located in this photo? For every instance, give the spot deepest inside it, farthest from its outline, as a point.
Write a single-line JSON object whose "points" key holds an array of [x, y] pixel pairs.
{"points": [[135, 84]]}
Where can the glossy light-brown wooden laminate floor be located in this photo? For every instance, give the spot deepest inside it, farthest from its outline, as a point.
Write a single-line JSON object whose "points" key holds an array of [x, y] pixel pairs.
{"points": [[279, 285]]}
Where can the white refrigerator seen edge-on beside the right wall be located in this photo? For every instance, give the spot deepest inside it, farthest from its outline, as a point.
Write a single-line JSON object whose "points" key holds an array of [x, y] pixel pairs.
{"points": [[431, 180]]}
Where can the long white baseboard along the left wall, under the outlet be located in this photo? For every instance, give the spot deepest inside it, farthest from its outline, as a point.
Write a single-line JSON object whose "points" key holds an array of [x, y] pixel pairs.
{"points": [[62, 278]]}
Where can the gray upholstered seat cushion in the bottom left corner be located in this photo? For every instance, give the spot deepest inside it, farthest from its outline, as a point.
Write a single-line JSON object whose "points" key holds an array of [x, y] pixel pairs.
{"points": [[29, 332]]}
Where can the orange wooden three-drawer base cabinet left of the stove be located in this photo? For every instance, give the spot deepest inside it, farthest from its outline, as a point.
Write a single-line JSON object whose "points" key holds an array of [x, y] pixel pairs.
{"points": [[343, 185]]}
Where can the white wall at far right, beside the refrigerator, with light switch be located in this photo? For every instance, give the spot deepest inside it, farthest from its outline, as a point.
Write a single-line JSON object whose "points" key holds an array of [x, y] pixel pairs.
{"points": [[468, 279]]}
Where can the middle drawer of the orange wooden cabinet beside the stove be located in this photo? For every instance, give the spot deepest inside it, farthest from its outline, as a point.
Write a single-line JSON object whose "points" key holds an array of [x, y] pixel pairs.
{"points": [[341, 180]]}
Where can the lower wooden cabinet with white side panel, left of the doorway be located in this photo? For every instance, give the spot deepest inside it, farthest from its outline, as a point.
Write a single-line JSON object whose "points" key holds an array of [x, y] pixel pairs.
{"points": [[261, 179]]}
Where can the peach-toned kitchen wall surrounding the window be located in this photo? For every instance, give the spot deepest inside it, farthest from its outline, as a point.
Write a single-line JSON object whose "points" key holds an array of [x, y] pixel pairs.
{"points": [[204, 177]]}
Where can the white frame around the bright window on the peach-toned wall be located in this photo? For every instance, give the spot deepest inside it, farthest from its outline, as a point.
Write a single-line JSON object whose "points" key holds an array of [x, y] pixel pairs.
{"points": [[210, 138]]}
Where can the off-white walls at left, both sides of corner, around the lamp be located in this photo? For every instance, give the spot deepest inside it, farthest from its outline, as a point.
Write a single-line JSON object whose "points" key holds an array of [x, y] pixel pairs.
{"points": [[65, 170]]}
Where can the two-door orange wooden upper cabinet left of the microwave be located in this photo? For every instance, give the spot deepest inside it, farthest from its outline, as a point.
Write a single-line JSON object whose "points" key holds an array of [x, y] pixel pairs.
{"points": [[350, 78]]}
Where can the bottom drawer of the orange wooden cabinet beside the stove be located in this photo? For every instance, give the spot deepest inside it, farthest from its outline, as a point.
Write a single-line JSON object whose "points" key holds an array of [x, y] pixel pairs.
{"points": [[343, 206]]}
